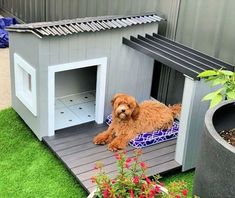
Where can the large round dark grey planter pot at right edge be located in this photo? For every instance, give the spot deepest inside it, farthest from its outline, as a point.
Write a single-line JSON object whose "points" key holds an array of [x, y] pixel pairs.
{"points": [[215, 170]]}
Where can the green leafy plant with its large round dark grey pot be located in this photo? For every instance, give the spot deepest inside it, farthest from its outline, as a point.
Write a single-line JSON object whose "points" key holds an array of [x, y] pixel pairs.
{"points": [[215, 169]]}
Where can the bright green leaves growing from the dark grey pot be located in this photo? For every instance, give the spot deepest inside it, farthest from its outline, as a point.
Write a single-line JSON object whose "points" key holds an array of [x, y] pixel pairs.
{"points": [[225, 80]]}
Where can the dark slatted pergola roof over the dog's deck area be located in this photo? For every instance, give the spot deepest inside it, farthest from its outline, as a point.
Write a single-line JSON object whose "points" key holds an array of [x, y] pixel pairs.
{"points": [[175, 55]]}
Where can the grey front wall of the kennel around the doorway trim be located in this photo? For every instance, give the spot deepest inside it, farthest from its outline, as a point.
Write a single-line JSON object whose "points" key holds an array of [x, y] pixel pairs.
{"points": [[127, 70]]}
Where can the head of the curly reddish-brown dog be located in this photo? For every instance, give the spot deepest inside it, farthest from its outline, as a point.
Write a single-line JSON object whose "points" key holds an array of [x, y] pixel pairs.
{"points": [[125, 107]]}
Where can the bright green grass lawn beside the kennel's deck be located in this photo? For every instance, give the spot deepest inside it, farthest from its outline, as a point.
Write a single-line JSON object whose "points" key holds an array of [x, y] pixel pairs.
{"points": [[29, 169]]}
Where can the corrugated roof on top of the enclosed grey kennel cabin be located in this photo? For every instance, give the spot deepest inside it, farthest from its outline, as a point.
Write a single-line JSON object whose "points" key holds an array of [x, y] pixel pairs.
{"points": [[88, 24]]}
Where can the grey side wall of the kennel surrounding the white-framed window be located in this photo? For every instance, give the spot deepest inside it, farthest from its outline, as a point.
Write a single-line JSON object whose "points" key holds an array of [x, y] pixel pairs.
{"points": [[18, 45]]}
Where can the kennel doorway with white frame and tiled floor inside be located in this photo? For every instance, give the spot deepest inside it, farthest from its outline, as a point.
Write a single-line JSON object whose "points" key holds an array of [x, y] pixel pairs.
{"points": [[76, 93]]}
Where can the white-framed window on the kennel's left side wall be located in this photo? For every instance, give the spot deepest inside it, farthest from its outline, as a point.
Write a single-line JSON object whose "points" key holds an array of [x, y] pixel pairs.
{"points": [[25, 83]]}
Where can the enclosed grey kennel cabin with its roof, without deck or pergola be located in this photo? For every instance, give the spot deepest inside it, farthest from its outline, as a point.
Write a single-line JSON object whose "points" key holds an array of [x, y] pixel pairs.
{"points": [[69, 70]]}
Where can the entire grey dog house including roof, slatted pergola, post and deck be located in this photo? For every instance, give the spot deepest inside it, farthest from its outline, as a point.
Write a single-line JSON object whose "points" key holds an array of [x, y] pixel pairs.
{"points": [[65, 73]]}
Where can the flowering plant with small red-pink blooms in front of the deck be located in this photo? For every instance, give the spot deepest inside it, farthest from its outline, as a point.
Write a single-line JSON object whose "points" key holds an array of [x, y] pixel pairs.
{"points": [[131, 180]]}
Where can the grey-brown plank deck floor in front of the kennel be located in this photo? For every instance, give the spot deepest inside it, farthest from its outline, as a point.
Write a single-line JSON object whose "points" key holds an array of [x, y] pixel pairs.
{"points": [[74, 147]]}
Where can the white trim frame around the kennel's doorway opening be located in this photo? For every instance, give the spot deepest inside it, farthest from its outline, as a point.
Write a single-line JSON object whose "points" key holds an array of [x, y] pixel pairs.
{"points": [[101, 64]]}
